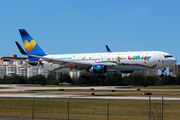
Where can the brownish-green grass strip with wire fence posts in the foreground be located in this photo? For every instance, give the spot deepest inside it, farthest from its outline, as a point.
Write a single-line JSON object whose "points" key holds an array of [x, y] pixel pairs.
{"points": [[90, 109]]}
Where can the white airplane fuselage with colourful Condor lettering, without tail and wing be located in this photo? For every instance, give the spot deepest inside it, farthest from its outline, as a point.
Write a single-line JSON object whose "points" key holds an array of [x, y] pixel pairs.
{"points": [[121, 61]]}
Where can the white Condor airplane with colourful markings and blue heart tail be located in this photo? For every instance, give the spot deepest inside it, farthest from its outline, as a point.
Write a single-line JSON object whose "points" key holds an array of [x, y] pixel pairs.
{"points": [[98, 63]]}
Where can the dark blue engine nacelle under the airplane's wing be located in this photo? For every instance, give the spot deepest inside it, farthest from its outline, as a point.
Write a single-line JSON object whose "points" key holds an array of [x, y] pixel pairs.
{"points": [[98, 69]]}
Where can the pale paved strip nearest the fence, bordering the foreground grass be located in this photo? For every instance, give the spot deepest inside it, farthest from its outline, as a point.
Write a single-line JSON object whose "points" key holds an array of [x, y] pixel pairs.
{"points": [[67, 96]]}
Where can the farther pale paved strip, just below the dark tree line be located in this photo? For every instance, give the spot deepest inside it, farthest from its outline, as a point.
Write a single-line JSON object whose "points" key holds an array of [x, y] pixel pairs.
{"points": [[26, 88]]}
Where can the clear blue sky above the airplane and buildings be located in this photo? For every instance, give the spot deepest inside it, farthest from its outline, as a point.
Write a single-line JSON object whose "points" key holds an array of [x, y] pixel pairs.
{"points": [[86, 26]]}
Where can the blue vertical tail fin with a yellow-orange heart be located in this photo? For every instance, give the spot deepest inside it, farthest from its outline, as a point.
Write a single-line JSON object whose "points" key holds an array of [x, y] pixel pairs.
{"points": [[30, 44]]}
